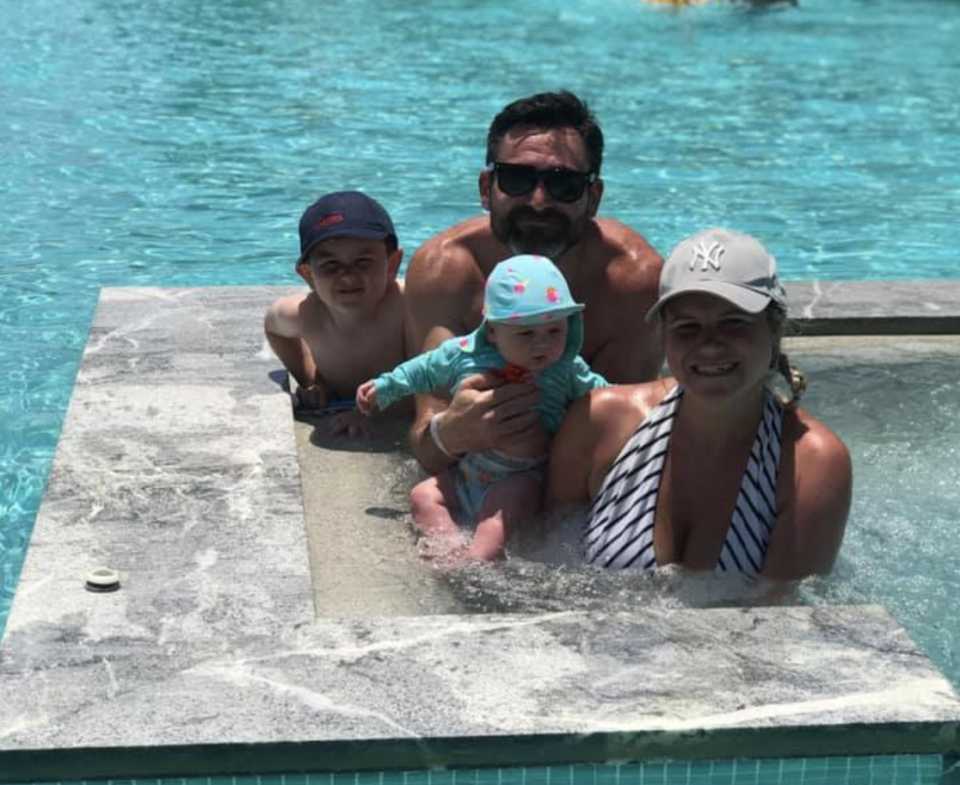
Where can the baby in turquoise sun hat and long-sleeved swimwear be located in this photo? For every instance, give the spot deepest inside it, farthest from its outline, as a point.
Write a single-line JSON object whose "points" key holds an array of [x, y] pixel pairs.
{"points": [[532, 330]]}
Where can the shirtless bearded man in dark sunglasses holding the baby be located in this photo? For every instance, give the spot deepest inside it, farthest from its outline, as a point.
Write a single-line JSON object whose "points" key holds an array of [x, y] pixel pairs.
{"points": [[542, 188]]}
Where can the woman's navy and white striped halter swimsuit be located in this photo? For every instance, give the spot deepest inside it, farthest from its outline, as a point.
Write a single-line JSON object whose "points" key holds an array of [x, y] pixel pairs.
{"points": [[619, 532]]}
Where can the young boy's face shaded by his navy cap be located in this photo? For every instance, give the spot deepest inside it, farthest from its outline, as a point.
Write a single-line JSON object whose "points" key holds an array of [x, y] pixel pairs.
{"points": [[348, 273]]}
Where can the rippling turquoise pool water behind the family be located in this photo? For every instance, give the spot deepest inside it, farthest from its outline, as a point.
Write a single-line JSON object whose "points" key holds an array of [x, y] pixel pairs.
{"points": [[176, 144]]}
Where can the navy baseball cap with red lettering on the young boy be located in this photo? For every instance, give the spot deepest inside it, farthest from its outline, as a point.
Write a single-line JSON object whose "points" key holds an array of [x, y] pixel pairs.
{"points": [[343, 214]]}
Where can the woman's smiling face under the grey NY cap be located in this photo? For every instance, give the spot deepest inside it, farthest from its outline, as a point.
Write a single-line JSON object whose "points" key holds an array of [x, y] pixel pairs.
{"points": [[714, 348]]}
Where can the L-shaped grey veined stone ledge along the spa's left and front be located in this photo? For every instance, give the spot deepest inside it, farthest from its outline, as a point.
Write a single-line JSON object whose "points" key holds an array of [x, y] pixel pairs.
{"points": [[177, 466]]}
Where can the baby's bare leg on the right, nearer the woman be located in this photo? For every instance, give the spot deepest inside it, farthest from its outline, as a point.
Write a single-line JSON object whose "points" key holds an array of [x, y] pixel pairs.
{"points": [[507, 504]]}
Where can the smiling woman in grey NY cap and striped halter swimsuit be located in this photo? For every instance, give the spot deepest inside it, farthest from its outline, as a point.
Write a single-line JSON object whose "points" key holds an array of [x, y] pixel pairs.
{"points": [[709, 468]]}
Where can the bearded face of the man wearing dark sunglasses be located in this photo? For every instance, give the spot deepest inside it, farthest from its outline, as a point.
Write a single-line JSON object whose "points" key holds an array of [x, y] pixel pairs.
{"points": [[536, 222]]}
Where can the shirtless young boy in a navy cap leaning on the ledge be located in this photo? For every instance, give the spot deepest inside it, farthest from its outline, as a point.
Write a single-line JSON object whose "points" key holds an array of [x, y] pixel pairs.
{"points": [[349, 325]]}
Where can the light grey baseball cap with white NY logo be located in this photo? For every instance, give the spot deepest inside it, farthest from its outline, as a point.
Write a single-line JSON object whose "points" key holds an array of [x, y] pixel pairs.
{"points": [[724, 263]]}
